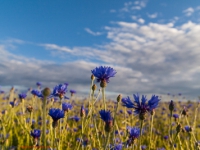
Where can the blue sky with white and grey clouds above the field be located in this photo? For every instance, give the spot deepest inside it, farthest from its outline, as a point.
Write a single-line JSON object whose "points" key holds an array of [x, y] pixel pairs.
{"points": [[152, 44]]}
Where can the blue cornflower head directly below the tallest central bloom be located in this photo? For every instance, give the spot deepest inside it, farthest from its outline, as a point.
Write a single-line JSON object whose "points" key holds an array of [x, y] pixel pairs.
{"points": [[107, 118]]}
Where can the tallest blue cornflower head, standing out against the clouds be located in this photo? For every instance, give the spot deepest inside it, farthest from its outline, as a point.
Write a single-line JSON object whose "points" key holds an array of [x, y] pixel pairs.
{"points": [[103, 74]]}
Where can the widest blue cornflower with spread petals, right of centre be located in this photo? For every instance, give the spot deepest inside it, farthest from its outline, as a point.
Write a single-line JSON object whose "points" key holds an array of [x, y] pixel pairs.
{"points": [[141, 107]]}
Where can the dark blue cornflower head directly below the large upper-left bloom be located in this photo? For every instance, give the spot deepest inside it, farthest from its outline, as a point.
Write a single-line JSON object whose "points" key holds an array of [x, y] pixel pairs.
{"points": [[56, 114]]}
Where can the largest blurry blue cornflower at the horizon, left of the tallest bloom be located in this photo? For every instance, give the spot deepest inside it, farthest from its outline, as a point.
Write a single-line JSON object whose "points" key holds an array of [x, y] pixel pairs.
{"points": [[60, 90]]}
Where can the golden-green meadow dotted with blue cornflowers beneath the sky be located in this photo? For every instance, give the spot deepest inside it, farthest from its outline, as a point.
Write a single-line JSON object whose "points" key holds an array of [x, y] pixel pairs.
{"points": [[47, 119]]}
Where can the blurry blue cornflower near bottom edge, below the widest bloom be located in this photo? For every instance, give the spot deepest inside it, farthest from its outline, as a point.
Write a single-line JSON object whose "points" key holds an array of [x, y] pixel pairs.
{"points": [[134, 134]]}
